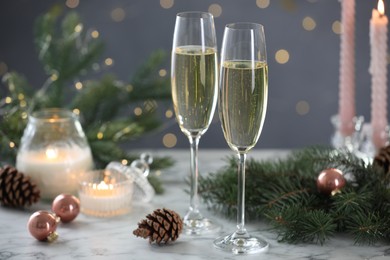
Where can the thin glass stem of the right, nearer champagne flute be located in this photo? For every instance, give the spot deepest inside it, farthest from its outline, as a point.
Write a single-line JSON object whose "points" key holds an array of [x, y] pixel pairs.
{"points": [[241, 194]]}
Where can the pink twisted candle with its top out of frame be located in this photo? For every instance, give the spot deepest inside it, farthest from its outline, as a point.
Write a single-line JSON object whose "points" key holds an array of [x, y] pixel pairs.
{"points": [[347, 68]]}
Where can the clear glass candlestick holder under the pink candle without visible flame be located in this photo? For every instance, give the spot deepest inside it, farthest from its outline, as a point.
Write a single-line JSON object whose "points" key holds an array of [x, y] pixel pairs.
{"points": [[351, 142]]}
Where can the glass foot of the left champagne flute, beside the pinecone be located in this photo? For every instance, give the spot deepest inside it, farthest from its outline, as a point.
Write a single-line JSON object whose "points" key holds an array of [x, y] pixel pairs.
{"points": [[201, 226]]}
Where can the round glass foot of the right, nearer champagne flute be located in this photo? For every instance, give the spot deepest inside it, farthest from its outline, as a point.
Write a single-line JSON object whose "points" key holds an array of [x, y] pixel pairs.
{"points": [[241, 243]]}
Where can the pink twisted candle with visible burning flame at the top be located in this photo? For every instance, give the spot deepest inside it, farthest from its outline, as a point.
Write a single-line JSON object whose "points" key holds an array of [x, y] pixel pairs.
{"points": [[378, 71]]}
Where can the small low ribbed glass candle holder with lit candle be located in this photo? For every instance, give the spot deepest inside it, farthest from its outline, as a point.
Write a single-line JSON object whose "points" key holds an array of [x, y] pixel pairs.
{"points": [[105, 193]]}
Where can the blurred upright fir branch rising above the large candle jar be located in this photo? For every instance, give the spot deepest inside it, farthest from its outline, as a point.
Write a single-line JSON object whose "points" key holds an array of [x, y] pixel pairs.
{"points": [[62, 55]]}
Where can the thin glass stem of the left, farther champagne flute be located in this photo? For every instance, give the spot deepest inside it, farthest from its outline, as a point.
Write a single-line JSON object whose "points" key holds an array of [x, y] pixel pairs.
{"points": [[194, 200]]}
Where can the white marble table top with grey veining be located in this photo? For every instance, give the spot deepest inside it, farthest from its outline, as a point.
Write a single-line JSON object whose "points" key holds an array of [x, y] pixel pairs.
{"points": [[112, 238]]}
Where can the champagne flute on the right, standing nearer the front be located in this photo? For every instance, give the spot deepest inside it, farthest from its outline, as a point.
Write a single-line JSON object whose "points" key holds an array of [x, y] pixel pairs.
{"points": [[242, 107]]}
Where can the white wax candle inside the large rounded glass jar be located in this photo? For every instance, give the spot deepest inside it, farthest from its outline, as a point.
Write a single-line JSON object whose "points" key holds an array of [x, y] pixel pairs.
{"points": [[55, 170]]}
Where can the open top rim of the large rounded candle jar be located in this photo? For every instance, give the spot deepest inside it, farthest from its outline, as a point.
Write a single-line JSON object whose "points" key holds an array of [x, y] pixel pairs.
{"points": [[53, 115]]}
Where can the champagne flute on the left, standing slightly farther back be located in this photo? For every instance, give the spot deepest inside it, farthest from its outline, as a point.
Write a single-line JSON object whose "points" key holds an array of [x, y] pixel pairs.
{"points": [[194, 78]]}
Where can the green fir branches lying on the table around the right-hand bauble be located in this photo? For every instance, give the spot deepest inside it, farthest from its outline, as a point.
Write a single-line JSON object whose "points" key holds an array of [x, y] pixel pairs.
{"points": [[285, 193]]}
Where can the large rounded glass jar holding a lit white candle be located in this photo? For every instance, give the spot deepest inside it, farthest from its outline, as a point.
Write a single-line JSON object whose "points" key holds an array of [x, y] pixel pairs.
{"points": [[54, 152]]}
